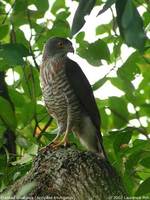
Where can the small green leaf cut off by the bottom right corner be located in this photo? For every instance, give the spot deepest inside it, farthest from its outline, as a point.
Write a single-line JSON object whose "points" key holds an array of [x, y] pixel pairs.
{"points": [[143, 188]]}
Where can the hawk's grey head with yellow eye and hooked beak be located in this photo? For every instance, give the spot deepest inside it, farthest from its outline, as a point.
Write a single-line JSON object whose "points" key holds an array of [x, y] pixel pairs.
{"points": [[57, 47]]}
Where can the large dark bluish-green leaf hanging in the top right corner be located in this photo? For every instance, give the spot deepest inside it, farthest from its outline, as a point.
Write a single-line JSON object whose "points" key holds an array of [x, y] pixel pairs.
{"points": [[130, 24]]}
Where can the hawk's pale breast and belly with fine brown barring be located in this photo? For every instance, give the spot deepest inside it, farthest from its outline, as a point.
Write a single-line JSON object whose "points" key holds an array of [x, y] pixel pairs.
{"points": [[60, 100]]}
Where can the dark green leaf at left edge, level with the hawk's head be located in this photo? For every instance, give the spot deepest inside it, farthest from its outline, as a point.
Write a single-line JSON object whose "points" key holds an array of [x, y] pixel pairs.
{"points": [[12, 54]]}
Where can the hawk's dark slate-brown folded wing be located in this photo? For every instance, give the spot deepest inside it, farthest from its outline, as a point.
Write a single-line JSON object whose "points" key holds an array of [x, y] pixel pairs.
{"points": [[83, 91]]}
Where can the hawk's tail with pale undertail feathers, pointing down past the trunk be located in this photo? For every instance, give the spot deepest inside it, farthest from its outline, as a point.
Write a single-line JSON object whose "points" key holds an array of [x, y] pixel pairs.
{"points": [[91, 138]]}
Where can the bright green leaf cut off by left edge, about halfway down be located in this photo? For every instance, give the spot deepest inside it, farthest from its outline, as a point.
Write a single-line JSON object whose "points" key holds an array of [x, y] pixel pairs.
{"points": [[7, 114]]}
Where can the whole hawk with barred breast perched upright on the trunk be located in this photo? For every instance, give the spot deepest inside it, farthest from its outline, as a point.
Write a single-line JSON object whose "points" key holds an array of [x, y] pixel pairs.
{"points": [[69, 98]]}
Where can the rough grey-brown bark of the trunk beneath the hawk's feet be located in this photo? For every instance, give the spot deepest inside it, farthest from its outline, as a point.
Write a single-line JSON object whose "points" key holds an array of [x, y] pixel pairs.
{"points": [[68, 173]]}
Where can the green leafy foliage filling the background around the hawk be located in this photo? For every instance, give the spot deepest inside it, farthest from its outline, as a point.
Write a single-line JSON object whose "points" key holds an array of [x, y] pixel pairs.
{"points": [[21, 110]]}
